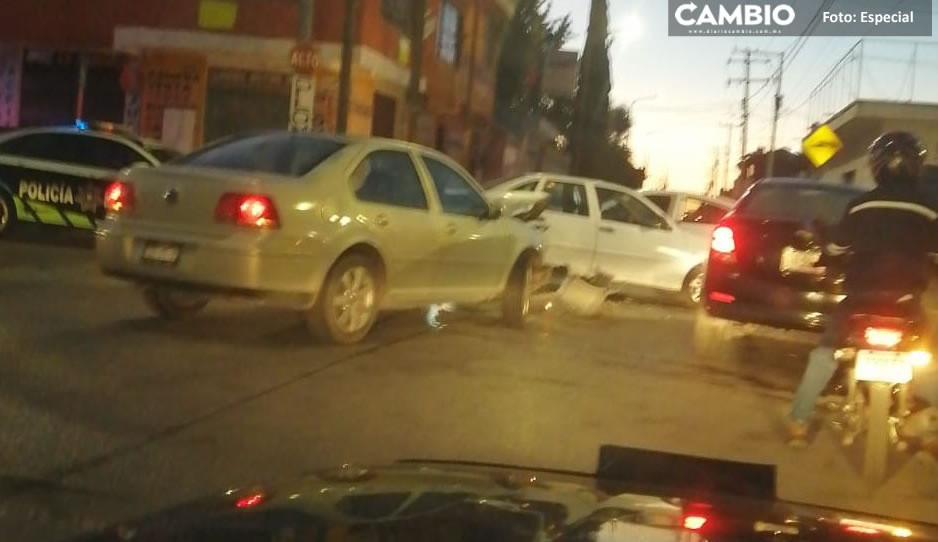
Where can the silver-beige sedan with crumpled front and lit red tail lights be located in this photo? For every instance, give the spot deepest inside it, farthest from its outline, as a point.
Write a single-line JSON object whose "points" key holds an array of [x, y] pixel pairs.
{"points": [[343, 228]]}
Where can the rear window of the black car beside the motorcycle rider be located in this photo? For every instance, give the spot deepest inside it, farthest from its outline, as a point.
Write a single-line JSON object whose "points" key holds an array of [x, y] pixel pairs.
{"points": [[796, 203]]}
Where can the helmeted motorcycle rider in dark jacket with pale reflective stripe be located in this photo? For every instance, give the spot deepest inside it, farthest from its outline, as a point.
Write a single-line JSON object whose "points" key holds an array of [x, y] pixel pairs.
{"points": [[889, 234]]}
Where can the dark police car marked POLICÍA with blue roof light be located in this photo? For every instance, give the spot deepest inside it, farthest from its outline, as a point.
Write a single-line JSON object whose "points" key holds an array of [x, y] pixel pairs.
{"points": [[57, 175]]}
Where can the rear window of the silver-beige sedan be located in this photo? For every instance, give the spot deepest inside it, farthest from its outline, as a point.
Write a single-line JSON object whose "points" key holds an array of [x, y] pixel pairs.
{"points": [[292, 155]]}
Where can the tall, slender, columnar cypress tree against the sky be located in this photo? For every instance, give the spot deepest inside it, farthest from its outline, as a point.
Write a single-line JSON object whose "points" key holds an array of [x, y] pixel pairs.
{"points": [[590, 129]]}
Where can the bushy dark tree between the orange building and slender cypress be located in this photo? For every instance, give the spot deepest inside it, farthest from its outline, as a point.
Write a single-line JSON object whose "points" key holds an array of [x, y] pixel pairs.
{"points": [[529, 40]]}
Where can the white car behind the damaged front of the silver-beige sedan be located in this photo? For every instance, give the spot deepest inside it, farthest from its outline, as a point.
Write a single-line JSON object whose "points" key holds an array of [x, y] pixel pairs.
{"points": [[593, 227]]}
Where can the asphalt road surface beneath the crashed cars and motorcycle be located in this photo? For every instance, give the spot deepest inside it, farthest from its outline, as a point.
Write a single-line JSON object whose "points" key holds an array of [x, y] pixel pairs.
{"points": [[106, 412]]}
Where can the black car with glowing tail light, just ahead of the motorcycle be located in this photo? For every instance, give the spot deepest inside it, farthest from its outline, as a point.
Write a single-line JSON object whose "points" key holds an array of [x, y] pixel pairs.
{"points": [[762, 272]]}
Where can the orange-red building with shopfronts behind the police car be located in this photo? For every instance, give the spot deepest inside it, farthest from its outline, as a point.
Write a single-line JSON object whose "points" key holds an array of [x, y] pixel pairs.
{"points": [[190, 71]]}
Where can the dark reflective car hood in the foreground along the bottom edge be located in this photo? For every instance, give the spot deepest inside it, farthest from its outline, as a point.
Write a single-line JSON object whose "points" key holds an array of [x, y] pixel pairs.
{"points": [[430, 500]]}
